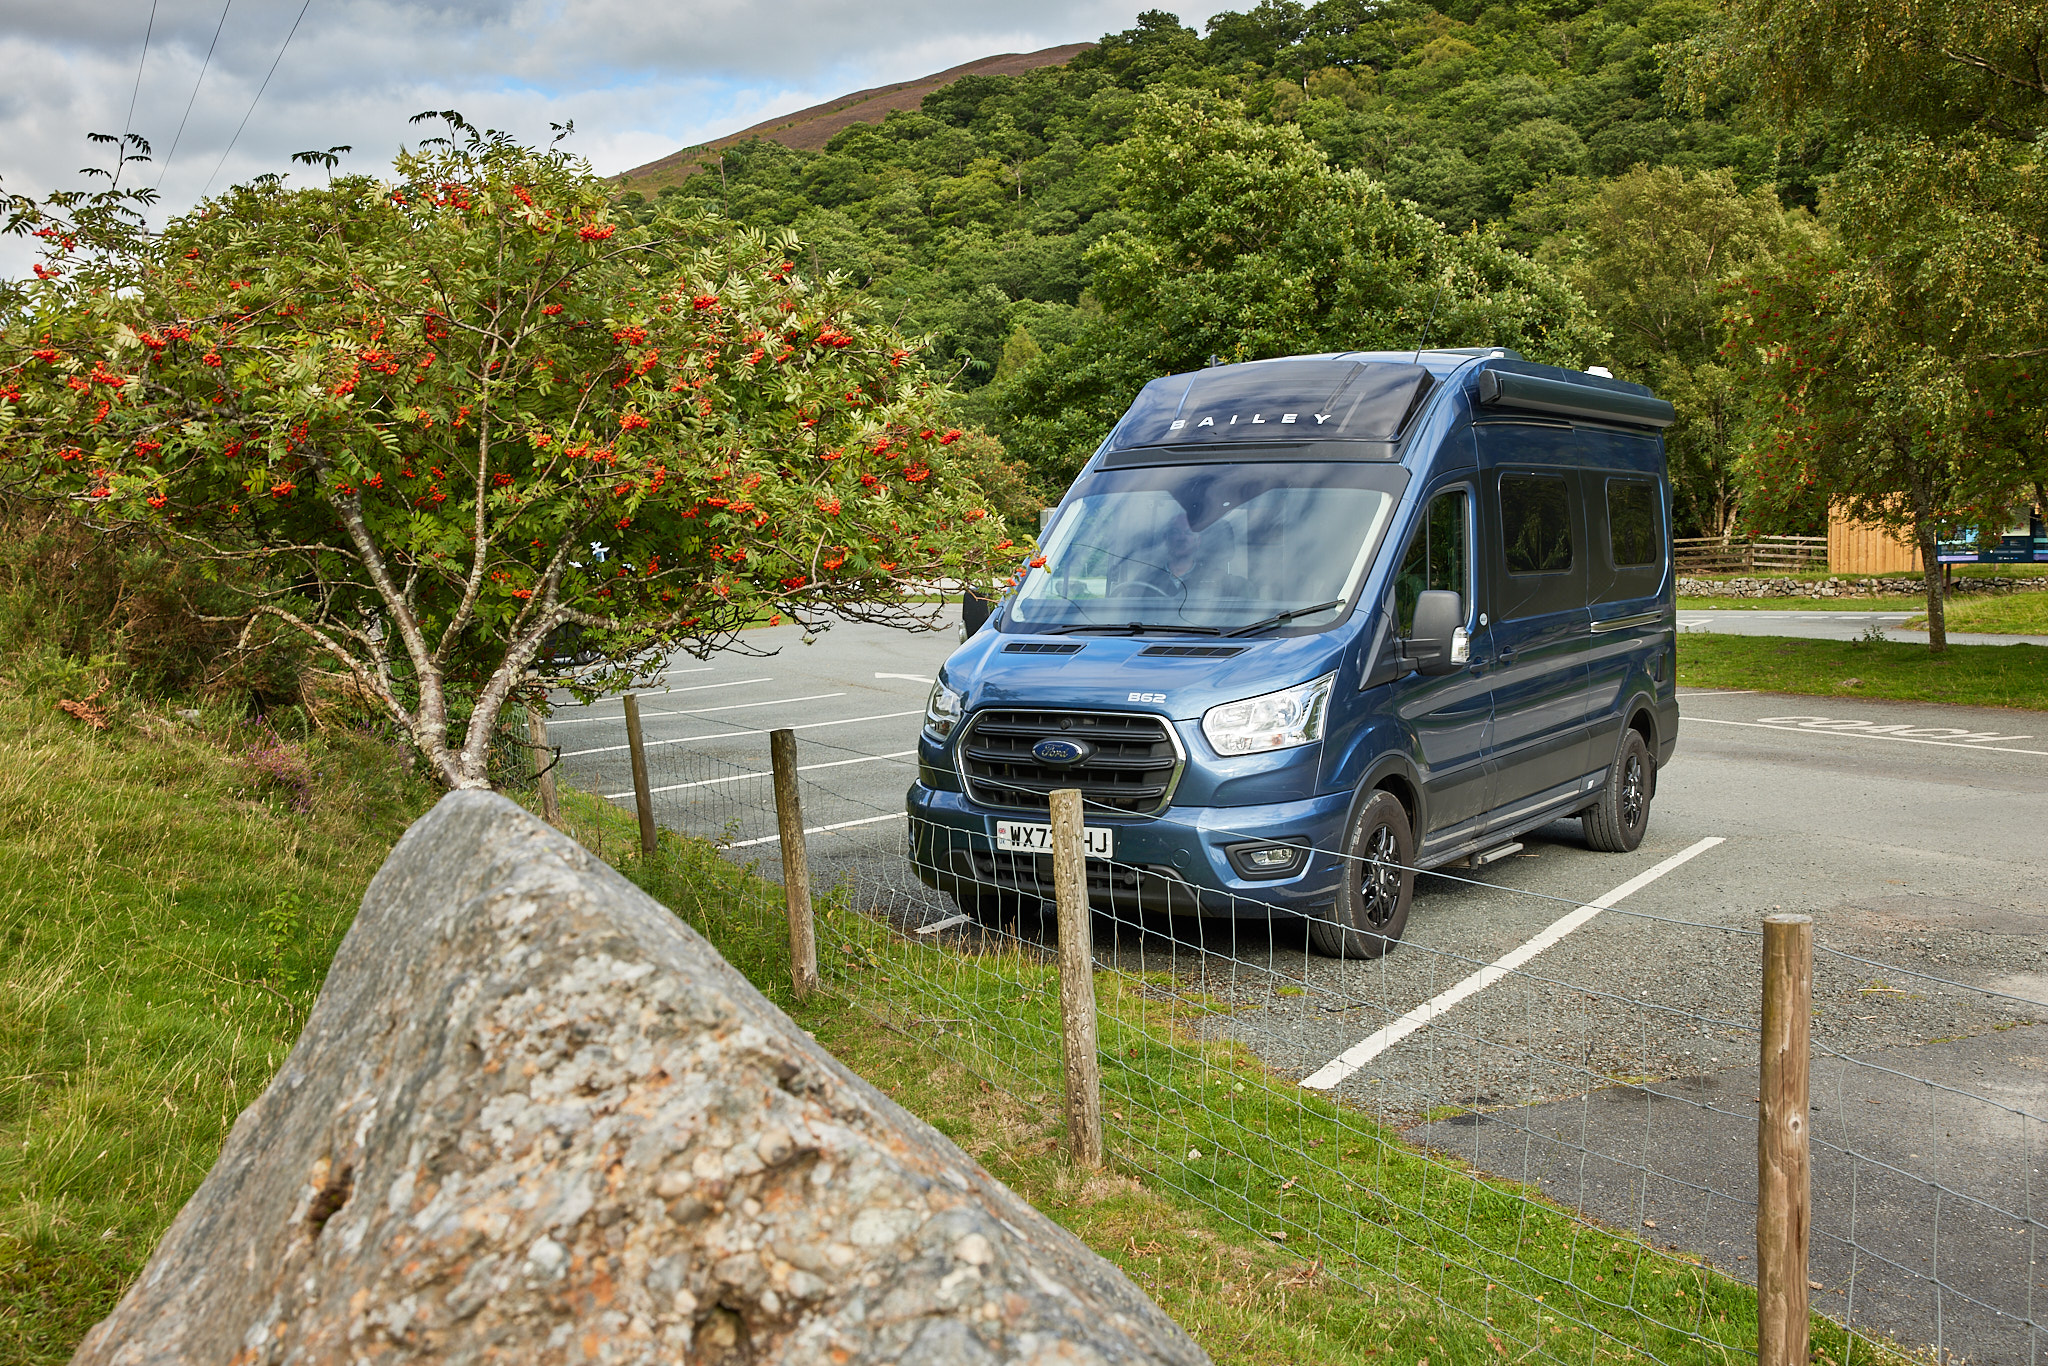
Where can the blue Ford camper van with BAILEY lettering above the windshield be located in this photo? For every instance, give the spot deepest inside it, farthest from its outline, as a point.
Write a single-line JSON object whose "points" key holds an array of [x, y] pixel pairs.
{"points": [[1310, 626]]}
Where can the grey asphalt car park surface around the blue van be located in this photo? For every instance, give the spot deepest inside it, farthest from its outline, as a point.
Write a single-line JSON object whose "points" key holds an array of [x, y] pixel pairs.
{"points": [[1617, 1068]]}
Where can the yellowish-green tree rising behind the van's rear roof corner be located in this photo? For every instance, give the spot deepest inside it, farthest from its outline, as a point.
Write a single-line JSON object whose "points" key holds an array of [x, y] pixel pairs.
{"points": [[1654, 253]]}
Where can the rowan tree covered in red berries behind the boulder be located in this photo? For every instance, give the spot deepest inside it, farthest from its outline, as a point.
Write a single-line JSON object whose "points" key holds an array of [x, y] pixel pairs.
{"points": [[460, 413]]}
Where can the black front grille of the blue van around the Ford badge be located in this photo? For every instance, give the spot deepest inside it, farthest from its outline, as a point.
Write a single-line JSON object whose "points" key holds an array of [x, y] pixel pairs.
{"points": [[1132, 769]]}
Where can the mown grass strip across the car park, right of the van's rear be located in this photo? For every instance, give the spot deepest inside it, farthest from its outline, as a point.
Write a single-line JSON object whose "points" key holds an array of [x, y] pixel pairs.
{"points": [[1965, 675]]}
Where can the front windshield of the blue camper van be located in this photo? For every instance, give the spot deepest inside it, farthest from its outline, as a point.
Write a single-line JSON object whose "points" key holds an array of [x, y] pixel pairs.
{"points": [[1209, 548]]}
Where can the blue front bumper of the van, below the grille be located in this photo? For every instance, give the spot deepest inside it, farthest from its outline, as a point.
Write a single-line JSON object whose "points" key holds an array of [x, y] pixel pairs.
{"points": [[1172, 863]]}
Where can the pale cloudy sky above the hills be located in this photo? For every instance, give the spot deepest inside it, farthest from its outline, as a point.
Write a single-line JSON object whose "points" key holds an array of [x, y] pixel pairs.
{"points": [[638, 79]]}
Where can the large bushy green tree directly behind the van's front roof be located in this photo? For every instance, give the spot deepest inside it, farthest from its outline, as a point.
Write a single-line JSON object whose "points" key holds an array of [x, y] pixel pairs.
{"points": [[1248, 245]]}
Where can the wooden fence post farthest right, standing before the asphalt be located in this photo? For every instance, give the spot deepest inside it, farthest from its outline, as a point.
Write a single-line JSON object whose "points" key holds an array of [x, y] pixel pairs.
{"points": [[1785, 1148]]}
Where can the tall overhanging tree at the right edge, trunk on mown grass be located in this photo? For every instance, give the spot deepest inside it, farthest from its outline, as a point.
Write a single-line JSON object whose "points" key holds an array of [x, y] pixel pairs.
{"points": [[1936, 314]]}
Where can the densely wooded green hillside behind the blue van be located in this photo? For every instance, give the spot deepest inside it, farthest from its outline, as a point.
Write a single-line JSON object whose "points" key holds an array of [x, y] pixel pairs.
{"points": [[1029, 220]]}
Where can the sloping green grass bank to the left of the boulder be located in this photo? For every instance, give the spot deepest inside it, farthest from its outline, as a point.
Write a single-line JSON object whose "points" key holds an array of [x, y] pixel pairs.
{"points": [[167, 919]]}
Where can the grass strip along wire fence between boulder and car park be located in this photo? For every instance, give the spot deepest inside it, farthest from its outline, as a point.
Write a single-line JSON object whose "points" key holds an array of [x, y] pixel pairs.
{"points": [[1273, 1226]]}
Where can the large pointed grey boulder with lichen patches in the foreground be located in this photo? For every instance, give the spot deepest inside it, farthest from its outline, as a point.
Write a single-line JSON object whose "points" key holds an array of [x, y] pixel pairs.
{"points": [[538, 1119]]}
